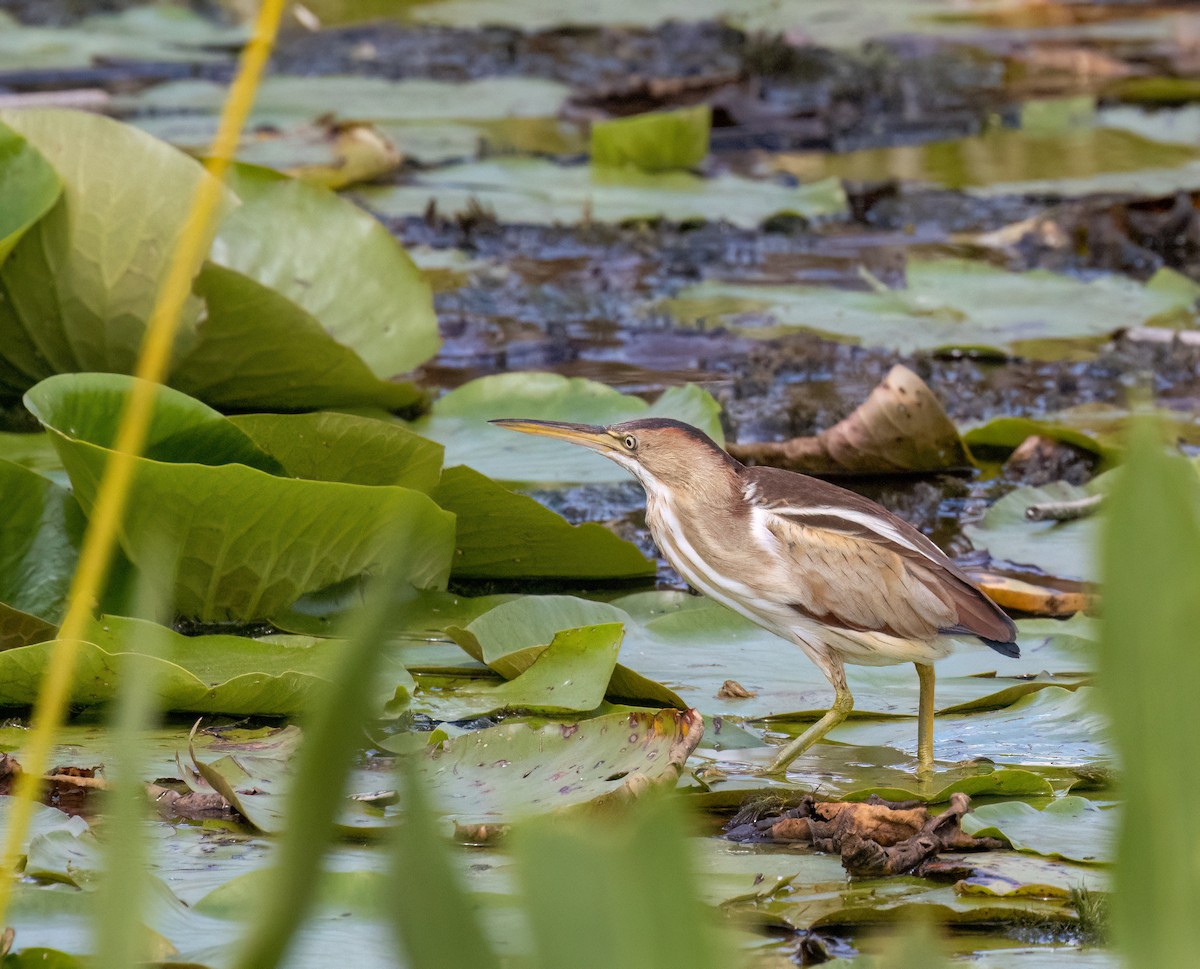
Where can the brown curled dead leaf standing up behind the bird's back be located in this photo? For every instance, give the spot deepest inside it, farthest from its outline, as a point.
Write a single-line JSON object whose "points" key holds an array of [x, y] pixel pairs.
{"points": [[901, 429]]}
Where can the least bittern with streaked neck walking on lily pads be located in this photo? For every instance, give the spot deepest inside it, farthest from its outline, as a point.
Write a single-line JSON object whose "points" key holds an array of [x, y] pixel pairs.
{"points": [[831, 571]]}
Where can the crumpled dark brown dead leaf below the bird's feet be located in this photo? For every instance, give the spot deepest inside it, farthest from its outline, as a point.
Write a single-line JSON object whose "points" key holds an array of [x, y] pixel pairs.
{"points": [[874, 838]]}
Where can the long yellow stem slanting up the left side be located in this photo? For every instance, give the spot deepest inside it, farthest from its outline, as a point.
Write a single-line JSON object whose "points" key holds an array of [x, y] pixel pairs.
{"points": [[112, 497]]}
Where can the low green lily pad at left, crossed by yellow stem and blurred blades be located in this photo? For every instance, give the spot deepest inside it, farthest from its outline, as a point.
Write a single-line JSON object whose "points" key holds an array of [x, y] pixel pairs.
{"points": [[205, 675]]}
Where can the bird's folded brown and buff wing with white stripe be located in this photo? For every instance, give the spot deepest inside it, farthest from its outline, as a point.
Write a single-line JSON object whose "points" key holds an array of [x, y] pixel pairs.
{"points": [[866, 569]]}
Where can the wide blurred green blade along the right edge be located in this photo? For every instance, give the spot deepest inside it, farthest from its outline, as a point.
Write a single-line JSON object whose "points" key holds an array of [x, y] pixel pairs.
{"points": [[1149, 675]]}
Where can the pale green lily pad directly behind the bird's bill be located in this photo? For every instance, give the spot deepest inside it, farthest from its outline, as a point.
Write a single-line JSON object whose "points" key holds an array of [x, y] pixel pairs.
{"points": [[459, 422]]}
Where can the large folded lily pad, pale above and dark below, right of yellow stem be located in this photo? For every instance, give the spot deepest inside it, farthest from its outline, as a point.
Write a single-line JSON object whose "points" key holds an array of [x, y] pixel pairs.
{"points": [[340, 286]]}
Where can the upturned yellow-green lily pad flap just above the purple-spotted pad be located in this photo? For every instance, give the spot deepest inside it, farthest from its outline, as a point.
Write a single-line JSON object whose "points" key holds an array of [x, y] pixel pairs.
{"points": [[569, 677]]}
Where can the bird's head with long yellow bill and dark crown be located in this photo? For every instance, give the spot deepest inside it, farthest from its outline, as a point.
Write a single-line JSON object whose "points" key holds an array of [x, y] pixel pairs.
{"points": [[656, 450]]}
